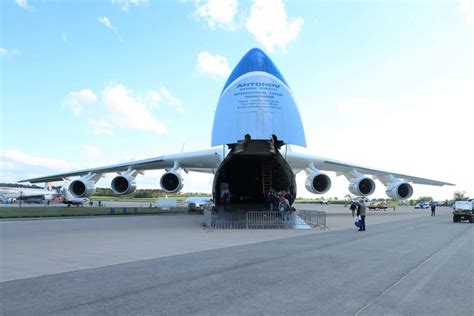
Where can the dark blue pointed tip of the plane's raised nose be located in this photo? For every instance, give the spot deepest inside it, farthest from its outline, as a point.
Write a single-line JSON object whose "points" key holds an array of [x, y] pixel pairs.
{"points": [[254, 60]]}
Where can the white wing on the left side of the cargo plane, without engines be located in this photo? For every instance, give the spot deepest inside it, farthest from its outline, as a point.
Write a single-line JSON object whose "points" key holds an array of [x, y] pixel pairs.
{"points": [[200, 161]]}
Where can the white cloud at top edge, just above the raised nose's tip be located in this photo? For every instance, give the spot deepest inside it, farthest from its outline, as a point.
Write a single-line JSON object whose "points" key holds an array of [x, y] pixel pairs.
{"points": [[269, 23]]}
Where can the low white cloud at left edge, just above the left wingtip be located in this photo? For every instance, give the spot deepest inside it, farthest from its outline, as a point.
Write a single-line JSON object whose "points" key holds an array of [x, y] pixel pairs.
{"points": [[15, 157]]}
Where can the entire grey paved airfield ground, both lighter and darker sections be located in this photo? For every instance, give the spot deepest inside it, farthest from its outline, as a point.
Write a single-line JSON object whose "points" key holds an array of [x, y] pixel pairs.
{"points": [[406, 263]]}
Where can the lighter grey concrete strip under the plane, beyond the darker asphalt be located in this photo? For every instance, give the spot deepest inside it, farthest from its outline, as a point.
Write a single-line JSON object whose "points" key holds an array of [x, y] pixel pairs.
{"points": [[36, 247]]}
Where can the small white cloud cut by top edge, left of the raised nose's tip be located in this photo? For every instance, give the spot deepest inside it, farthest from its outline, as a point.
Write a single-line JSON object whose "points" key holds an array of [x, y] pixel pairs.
{"points": [[217, 12]]}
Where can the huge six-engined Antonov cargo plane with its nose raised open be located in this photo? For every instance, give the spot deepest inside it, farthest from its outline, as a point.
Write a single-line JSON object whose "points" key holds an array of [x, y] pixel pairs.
{"points": [[256, 115]]}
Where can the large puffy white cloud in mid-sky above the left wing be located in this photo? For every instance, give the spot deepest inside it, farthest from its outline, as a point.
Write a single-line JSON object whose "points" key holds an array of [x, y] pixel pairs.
{"points": [[118, 107]]}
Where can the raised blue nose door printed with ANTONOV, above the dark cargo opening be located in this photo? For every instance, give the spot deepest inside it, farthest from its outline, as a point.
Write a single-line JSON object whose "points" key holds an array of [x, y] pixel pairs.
{"points": [[260, 103]]}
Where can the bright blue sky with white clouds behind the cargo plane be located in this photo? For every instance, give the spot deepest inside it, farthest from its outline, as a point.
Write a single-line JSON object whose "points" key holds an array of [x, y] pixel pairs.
{"points": [[386, 84]]}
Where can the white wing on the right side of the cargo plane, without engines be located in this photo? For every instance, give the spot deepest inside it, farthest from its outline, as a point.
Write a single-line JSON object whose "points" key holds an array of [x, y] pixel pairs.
{"points": [[300, 161]]}
